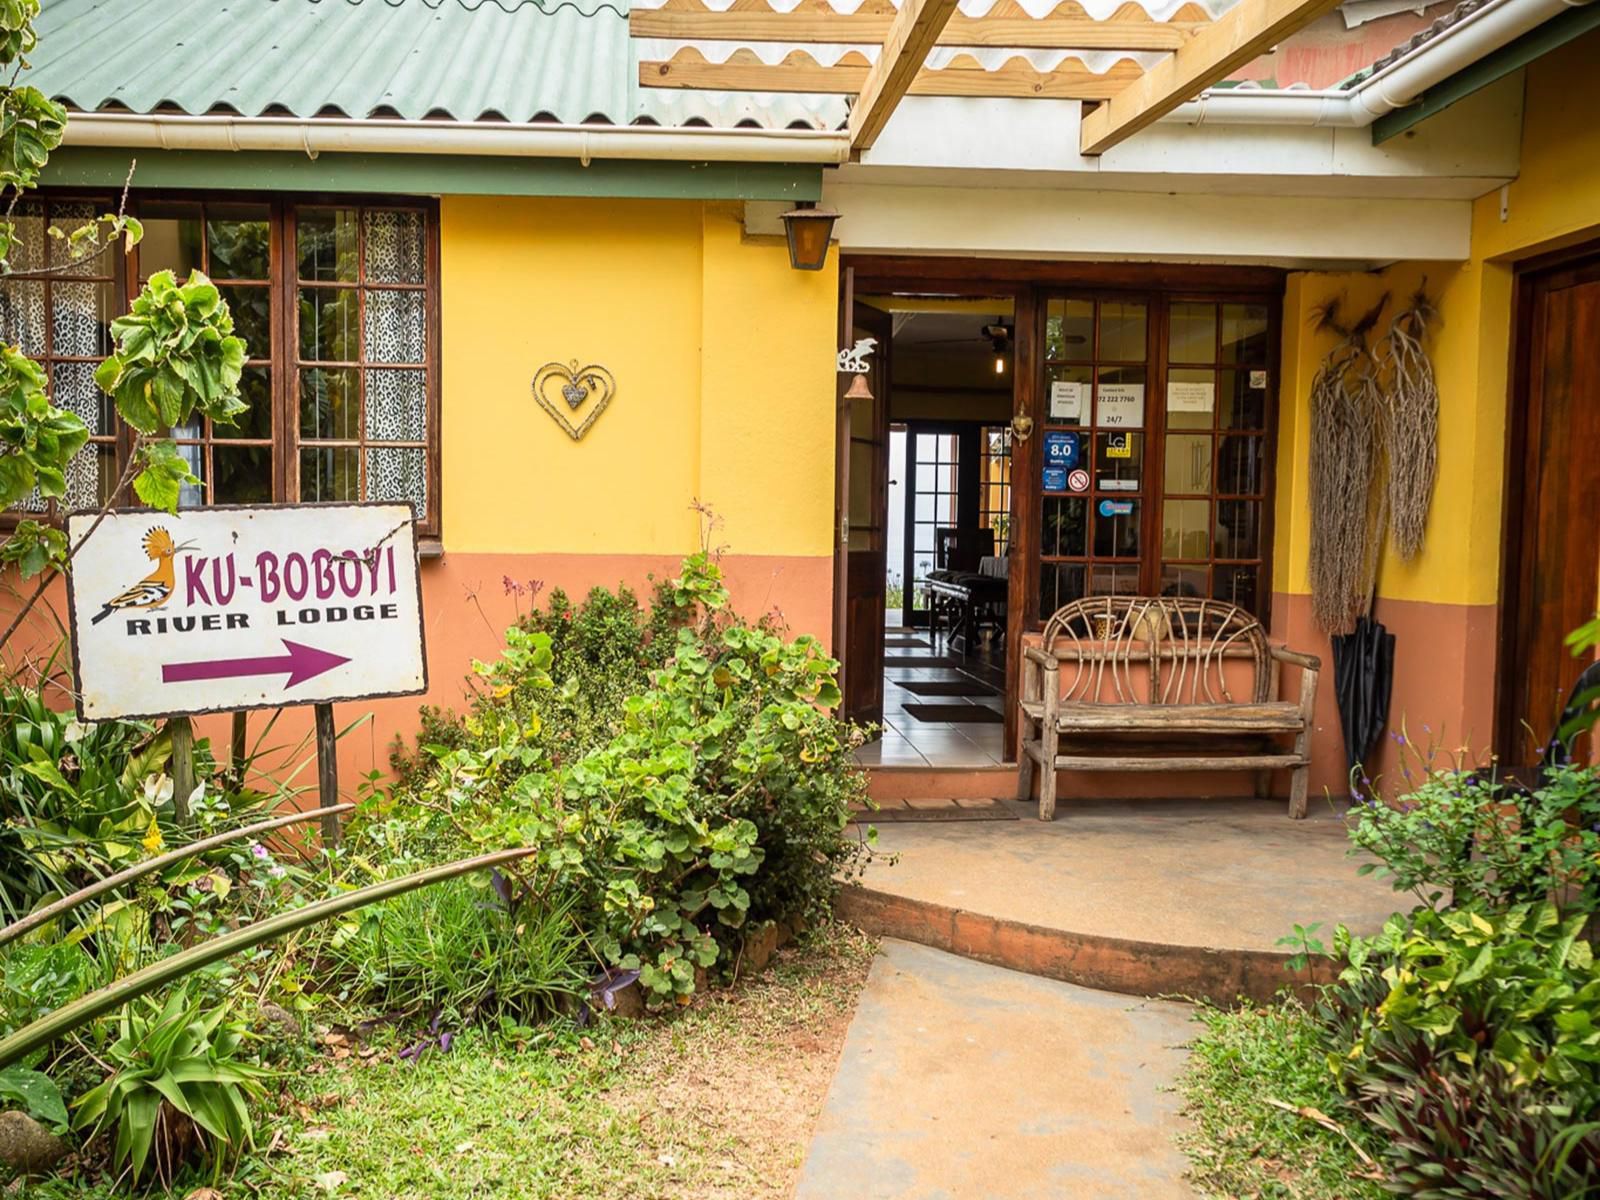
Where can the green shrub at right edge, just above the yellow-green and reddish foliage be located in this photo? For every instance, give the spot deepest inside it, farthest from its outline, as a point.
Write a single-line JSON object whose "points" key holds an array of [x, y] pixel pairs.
{"points": [[1466, 839]]}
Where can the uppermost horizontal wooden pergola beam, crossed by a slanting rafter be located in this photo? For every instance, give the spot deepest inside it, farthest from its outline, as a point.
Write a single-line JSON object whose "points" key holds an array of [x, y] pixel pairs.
{"points": [[1007, 25]]}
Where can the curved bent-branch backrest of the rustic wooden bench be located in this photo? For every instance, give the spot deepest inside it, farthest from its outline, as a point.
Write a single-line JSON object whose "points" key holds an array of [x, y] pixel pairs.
{"points": [[1159, 650]]}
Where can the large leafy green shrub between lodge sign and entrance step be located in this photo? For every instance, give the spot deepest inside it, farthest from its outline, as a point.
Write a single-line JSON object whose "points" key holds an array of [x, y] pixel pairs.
{"points": [[681, 774]]}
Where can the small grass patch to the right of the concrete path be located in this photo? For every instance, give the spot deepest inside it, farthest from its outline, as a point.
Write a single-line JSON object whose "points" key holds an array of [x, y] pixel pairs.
{"points": [[1246, 1146]]}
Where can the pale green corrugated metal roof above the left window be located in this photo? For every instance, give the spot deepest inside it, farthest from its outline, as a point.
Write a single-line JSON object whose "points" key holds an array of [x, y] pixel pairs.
{"points": [[518, 60]]}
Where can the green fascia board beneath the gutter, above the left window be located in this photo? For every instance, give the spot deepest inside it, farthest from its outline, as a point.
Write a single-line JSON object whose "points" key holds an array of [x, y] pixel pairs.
{"points": [[433, 175]]}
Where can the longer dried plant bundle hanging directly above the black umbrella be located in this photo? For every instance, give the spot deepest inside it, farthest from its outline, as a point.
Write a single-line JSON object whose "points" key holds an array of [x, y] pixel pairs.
{"points": [[1346, 524]]}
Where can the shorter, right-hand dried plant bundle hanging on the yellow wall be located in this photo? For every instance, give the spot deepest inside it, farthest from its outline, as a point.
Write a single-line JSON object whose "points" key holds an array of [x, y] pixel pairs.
{"points": [[1410, 410]]}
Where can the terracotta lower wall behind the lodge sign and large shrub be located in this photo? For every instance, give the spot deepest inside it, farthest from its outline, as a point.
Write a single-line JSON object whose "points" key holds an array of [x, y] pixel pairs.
{"points": [[466, 609]]}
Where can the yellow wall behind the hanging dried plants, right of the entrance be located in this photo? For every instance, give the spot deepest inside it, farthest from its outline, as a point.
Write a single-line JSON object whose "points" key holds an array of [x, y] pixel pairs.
{"points": [[1554, 202]]}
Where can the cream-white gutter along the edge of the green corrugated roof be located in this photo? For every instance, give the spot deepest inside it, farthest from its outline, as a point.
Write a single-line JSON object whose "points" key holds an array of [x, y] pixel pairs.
{"points": [[586, 143]]}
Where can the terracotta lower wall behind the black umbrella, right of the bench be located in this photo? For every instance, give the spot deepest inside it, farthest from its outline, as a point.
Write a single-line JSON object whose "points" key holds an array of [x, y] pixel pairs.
{"points": [[1444, 689]]}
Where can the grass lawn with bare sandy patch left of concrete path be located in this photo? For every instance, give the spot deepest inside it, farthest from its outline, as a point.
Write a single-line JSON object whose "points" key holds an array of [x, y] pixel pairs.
{"points": [[714, 1102]]}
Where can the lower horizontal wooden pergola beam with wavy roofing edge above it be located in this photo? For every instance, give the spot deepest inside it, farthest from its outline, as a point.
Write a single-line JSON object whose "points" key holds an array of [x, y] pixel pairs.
{"points": [[964, 76]]}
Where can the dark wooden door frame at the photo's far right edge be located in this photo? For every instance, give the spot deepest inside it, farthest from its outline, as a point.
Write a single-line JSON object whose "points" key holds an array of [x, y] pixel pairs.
{"points": [[1530, 281]]}
